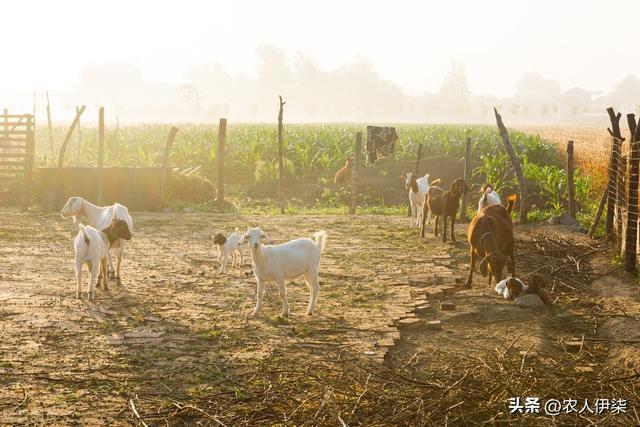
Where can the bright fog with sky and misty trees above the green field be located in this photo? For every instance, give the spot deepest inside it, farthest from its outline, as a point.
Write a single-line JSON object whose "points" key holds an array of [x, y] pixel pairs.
{"points": [[539, 62]]}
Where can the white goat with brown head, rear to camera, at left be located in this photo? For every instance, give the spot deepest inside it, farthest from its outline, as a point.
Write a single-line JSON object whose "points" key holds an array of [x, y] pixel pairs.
{"points": [[92, 247]]}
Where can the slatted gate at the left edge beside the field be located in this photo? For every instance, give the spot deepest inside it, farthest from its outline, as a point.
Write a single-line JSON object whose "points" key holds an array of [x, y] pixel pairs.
{"points": [[17, 150]]}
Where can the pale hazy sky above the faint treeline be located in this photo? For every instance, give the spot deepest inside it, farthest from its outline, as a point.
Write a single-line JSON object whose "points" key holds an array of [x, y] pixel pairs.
{"points": [[590, 44]]}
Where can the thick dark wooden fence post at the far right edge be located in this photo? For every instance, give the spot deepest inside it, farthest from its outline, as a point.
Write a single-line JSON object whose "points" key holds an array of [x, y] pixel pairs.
{"points": [[630, 254]]}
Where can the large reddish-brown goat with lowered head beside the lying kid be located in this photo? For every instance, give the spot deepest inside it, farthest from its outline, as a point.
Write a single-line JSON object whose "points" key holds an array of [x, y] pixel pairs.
{"points": [[490, 235]]}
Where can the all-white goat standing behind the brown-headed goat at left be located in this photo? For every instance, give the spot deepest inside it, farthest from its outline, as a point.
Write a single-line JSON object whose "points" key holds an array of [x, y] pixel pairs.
{"points": [[100, 217]]}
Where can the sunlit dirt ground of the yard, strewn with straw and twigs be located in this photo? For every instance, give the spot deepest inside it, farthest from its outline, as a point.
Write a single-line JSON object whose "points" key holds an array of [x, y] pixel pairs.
{"points": [[173, 345]]}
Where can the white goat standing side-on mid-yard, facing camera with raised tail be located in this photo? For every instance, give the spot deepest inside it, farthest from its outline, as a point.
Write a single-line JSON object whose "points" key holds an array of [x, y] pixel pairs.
{"points": [[286, 262]]}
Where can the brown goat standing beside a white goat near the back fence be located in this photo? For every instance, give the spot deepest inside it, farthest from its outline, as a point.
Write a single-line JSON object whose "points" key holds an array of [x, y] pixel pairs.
{"points": [[443, 204]]}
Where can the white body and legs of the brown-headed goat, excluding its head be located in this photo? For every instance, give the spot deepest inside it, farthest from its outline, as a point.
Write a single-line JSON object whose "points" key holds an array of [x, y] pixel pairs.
{"points": [[91, 247]]}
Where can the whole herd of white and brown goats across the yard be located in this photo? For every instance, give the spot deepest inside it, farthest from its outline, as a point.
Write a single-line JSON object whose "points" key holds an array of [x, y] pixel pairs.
{"points": [[490, 235]]}
